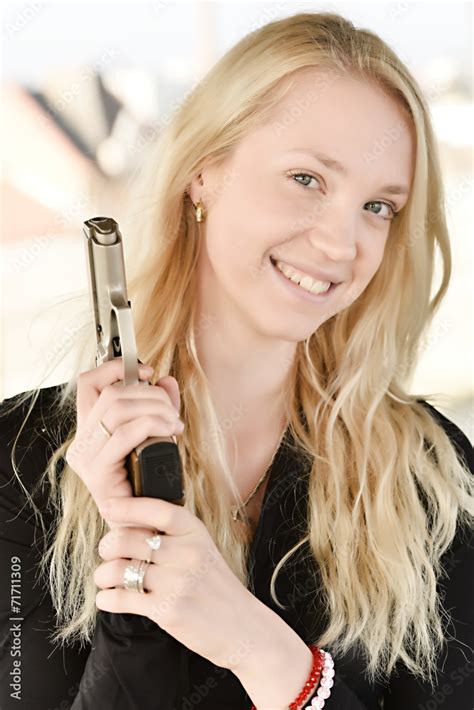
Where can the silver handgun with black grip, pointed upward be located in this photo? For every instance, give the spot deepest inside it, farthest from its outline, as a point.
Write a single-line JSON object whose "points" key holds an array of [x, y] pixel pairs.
{"points": [[154, 467]]}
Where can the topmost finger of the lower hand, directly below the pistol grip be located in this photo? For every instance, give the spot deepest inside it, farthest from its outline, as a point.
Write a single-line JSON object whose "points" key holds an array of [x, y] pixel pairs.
{"points": [[156, 513]]}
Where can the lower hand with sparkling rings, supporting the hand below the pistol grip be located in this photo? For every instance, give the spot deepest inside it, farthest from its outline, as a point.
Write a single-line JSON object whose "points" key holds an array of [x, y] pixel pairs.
{"points": [[191, 592]]}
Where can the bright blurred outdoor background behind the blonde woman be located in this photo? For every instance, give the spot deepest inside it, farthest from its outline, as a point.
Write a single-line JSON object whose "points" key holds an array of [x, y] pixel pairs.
{"points": [[88, 86]]}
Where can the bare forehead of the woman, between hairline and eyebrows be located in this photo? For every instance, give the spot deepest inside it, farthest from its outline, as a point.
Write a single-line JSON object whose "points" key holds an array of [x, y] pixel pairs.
{"points": [[347, 118]]}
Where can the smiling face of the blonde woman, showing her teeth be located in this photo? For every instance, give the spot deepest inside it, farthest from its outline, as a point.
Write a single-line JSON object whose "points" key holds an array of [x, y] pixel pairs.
{"points": [[273, 198]]}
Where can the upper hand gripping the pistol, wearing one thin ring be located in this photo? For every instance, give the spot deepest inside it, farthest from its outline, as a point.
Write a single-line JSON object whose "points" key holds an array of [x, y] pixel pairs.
{"points": [[132, 413]]}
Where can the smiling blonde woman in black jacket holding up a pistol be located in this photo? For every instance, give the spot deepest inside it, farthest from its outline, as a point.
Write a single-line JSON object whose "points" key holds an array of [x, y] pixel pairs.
{"points": [[306, 157]]}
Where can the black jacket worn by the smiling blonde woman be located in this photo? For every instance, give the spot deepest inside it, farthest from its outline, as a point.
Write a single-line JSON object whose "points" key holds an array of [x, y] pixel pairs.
{"points": [[134, 664]]}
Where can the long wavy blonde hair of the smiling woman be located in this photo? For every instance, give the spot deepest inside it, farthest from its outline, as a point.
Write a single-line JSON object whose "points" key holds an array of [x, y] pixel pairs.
{"points": [[382, 505]]}
